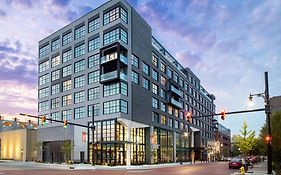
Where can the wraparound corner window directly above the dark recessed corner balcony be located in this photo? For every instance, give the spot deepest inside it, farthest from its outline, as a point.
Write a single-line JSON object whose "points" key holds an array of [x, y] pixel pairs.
{"points": [[115, 35]]}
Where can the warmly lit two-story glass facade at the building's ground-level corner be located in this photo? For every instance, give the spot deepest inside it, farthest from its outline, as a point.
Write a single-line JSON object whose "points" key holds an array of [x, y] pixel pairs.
{"points": [[111, 142]]}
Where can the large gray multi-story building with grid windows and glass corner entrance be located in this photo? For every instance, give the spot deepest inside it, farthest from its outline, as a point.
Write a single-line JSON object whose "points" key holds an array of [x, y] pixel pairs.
{"points": [[107, 65]]}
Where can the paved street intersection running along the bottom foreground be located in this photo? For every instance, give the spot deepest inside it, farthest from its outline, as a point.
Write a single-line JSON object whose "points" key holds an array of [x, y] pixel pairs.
{"points": [[216, 168]]}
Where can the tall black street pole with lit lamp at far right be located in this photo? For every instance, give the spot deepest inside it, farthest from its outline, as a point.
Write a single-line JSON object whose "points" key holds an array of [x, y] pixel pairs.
{"points": [[265, 96]]}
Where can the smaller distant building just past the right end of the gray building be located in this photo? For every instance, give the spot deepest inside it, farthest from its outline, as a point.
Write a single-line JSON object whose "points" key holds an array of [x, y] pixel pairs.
{"points": [[223, 141]]}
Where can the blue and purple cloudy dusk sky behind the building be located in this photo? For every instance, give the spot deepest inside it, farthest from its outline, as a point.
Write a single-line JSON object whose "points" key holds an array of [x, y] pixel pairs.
{"points": [[227, 44]]}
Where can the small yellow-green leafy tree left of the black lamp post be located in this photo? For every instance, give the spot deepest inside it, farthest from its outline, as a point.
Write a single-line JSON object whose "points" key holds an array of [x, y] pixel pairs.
{"points": [[246, 141]]}
